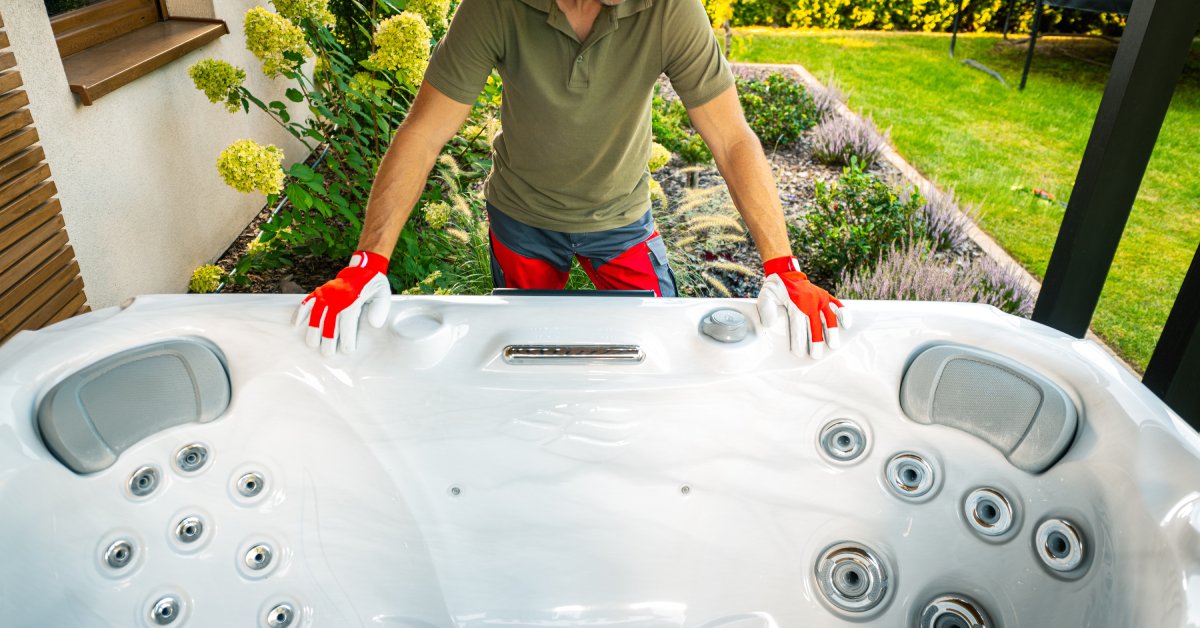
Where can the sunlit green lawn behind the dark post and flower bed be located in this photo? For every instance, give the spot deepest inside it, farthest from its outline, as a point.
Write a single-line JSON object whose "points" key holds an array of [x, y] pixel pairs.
{"points": [[965, 130]]}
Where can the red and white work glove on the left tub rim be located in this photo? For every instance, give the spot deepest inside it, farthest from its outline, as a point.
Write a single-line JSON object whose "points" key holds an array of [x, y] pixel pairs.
{"points": [[333, 310]]}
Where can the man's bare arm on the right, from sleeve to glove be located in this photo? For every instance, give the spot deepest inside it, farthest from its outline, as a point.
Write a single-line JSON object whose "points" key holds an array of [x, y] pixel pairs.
{"points": [[740, 158]]}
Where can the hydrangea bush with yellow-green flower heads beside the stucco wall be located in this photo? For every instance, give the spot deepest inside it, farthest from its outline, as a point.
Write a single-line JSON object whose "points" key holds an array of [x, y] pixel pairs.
{"points": [[353, 105]]}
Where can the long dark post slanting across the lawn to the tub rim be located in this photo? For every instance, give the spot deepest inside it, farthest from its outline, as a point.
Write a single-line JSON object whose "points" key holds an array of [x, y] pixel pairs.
{"points": [[1150, 59]]}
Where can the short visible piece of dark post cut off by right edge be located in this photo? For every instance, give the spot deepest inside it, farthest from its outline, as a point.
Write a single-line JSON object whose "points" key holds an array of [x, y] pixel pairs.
{"points": [[1174, 372]]}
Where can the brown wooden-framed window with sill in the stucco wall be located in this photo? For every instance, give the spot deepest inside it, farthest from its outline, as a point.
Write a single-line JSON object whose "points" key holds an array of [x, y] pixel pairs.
{"points": [[109, 44]]}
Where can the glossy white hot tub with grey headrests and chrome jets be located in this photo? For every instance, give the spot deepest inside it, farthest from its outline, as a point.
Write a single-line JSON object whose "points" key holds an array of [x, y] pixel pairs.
{"points": [[556, 462]]}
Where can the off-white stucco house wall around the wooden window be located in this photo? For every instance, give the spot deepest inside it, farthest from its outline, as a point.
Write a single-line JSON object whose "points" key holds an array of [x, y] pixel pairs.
{"points": [[136, 172]]}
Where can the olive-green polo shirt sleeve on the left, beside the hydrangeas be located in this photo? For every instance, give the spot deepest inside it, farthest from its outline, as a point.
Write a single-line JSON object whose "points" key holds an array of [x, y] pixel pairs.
{"points": [[467, 53]]}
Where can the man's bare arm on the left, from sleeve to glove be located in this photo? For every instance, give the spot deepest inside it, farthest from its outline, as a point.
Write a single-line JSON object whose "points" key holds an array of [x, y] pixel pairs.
{"points": [[431, 123]]}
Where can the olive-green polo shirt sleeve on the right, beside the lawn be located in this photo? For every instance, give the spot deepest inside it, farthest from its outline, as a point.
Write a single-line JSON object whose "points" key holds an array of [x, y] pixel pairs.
{"points": [[692, 58]]}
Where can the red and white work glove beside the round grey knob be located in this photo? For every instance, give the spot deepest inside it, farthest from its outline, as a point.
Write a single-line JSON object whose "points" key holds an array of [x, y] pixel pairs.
{"points": [[813, 314]]}
